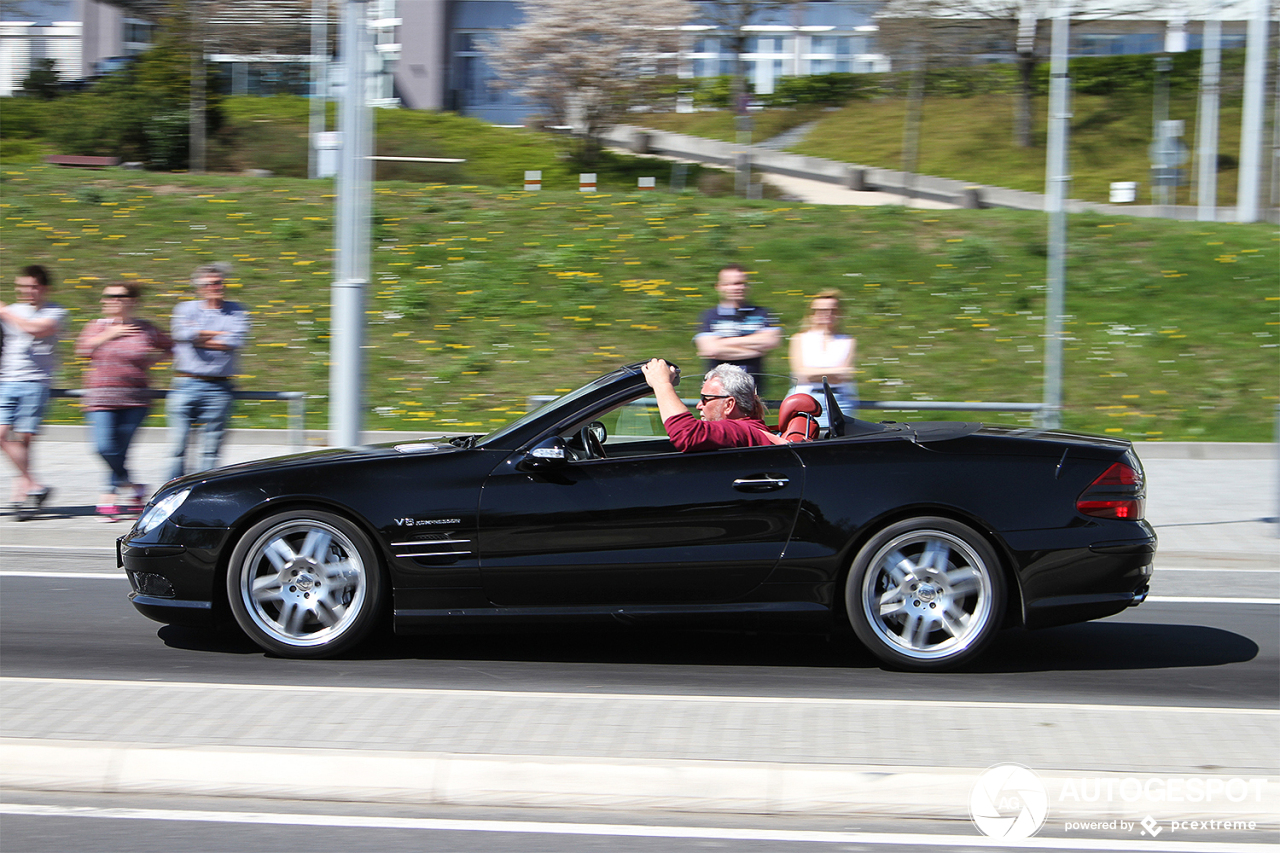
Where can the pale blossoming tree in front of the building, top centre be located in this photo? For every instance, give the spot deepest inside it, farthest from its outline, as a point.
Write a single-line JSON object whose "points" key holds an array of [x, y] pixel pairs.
{"points": [[586, 63]]}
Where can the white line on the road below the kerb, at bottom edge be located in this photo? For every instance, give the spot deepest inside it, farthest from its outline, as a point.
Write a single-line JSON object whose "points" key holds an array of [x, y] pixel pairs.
{"points": [[623, 831]]}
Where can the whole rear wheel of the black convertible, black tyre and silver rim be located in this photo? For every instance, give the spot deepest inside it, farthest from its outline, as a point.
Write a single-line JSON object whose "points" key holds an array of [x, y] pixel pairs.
{"points": [[926, 594]]}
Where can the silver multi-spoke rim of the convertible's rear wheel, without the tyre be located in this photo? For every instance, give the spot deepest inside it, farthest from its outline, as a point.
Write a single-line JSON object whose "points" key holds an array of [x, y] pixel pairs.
{"points": [[929, 595]]}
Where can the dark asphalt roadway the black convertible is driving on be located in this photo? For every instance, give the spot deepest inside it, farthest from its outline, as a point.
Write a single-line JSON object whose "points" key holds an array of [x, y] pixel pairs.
{"points": [[1165, 653]]}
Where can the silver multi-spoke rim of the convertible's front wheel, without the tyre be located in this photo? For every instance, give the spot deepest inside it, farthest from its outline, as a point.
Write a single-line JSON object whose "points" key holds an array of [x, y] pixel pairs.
{"points": [[304, 583]]}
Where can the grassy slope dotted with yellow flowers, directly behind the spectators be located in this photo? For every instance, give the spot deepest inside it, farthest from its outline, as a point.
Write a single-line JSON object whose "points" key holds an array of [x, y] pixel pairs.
{"points": [[483, 295]]}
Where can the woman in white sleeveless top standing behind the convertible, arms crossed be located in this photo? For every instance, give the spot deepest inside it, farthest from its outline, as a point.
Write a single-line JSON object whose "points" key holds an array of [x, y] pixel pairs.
{"points": [[820, 350]]}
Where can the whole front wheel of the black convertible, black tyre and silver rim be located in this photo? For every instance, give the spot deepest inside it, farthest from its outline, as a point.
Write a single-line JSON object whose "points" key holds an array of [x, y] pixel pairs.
{"points": [[305, 585]]}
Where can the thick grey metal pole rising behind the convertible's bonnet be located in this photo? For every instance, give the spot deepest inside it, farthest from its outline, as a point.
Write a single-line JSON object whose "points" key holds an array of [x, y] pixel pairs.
{"points": [[348, 302]]}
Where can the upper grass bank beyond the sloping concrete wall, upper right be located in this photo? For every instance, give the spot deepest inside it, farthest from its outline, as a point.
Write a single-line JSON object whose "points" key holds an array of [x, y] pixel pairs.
{"points": [[971, 139]]}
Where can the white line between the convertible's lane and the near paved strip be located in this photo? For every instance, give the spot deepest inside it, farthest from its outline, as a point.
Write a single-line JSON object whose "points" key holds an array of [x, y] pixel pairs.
{"points": [[661, 697]]}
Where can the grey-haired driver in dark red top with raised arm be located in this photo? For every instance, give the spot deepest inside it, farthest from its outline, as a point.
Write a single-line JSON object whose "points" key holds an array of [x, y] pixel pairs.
{"points": [[733, 413]]}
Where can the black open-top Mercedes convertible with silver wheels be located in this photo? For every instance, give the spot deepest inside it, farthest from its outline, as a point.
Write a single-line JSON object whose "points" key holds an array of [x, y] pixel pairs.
{"points": [[926, 539]]}
